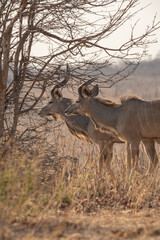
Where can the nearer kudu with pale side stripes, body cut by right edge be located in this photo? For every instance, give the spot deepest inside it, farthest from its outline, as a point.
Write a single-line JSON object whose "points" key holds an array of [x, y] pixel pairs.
{"points": [[133, 120]]}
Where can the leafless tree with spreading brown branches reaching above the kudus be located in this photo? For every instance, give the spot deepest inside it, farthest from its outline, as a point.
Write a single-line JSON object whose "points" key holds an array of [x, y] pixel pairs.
{"points": [[74, 31]]}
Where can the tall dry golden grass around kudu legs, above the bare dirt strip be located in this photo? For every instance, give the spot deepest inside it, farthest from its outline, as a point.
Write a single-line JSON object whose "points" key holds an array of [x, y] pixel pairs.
{"points": [[34, 184]]}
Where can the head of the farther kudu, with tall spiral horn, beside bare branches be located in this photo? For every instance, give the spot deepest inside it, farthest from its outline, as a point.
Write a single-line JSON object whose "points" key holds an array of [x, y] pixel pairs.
{"points": [[57, 104]]}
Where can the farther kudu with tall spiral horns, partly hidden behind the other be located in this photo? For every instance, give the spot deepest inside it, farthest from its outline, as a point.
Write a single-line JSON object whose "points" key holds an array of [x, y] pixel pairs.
{"points": [[81, 126]]}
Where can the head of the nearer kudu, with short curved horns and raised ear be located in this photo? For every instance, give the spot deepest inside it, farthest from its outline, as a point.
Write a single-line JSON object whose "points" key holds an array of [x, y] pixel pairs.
{"points": [[85, 96]]}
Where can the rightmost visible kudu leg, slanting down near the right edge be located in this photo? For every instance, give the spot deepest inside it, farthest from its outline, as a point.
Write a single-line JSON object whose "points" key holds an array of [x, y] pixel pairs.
{"points": [[152, 154]]}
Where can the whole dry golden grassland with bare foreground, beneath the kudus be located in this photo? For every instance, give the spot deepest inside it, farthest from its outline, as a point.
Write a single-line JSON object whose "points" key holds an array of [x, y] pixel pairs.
{"points": [[50, 189]]}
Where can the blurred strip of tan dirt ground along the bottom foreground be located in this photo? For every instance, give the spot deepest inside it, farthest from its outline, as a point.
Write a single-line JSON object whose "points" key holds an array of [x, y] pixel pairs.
{"points": [[105, 224]]}
